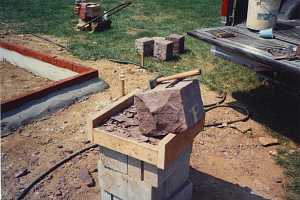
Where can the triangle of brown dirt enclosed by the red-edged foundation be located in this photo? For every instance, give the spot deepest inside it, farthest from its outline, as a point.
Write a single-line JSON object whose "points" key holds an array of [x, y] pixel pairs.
{"points": [[16, 81]]}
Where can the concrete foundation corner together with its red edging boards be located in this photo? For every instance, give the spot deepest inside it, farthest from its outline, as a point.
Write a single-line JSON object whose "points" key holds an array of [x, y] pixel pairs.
{"points": [[77, 82]]}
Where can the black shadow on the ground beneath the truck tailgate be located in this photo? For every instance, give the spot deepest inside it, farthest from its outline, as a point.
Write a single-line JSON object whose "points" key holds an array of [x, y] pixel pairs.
{"points": [[274, 108]]}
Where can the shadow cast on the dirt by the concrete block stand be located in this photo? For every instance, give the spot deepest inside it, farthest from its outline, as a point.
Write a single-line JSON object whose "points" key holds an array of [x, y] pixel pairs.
{"points": [[207, 187]]}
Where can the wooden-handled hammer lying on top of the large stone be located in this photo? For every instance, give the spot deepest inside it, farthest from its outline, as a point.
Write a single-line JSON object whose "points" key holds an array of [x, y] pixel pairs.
{"points": [[177, 77]]}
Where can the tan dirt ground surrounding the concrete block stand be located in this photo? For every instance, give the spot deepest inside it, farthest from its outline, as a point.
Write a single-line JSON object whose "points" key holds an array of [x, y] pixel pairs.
{"points": [[225, 163]]}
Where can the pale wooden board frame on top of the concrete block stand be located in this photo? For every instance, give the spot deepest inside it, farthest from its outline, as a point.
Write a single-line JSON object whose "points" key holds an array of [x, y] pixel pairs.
{"points": [[160, 155]]}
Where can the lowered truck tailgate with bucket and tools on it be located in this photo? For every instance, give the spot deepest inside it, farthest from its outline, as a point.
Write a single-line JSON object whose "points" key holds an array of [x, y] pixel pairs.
{"points": [[249, 45]]}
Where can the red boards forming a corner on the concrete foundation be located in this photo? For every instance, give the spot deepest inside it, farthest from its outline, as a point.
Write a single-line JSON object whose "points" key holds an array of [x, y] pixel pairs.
{"points": [[85, 73]]}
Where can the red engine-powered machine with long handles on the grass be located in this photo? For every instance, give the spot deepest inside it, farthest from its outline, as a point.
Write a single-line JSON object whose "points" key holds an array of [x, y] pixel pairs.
{"points": [[93, 18]]}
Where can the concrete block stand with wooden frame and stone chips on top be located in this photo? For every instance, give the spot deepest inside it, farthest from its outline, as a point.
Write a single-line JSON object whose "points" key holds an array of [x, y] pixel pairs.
{"points": [[137, 167]]}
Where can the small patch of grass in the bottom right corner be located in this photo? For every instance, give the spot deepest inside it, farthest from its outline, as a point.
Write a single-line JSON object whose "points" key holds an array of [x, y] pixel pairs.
{"points": [[291, 163]]}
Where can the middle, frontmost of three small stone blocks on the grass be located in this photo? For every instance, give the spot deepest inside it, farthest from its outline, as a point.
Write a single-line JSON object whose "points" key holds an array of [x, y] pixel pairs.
{"points": [[163, 49]]}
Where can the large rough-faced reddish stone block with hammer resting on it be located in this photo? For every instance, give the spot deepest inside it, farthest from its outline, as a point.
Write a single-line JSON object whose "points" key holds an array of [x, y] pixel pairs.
{"points": [[166, 109]]}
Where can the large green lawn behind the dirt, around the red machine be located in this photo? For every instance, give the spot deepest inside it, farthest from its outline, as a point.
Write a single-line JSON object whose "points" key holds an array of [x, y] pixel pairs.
{"points": [[143, 18]]}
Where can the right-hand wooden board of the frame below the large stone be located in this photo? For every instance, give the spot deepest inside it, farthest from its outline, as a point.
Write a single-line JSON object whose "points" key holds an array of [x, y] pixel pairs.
{"points": [[172, 145]]}
